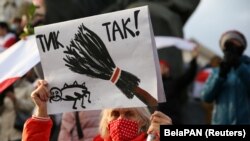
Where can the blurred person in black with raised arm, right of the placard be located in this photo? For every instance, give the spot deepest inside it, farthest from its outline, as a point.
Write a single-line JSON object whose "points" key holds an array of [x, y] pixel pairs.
{"points": [[174, 88]]}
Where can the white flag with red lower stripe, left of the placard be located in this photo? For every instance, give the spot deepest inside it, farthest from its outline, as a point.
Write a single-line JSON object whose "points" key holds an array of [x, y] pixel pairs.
{"points": [[17, 61]]}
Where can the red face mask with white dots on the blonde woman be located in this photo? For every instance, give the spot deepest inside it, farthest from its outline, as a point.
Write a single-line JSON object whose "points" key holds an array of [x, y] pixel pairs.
{"points": [[123, 129]]}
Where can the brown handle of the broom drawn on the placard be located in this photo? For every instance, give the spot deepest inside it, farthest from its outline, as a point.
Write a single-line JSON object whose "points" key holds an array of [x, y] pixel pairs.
{"points": [[145, 97]]}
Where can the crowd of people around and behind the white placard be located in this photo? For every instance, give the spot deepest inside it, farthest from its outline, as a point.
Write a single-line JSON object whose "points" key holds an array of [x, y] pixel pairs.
{"points": [[224, 94]]}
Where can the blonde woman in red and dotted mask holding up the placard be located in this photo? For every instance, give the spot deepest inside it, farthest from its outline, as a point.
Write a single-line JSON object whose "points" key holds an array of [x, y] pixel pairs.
{"points": [[134, 121]]}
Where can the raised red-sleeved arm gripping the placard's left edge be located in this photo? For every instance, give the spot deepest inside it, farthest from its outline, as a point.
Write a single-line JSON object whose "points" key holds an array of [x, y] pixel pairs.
{"points": [[38, 128]]}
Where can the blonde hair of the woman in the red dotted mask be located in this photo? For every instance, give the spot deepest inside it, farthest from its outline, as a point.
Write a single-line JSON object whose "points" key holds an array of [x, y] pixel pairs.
{"points": [[143, 114]]}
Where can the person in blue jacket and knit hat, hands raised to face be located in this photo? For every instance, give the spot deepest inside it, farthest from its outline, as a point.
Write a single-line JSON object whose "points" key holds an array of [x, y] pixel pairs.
{"points": [[228, 85]]}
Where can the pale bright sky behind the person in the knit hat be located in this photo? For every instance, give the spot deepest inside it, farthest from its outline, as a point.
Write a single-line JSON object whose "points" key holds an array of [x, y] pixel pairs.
{"points": [[213, 17]]}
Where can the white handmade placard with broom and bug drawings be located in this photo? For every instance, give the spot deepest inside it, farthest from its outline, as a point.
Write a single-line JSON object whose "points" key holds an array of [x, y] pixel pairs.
{"points": [[103, 61]]}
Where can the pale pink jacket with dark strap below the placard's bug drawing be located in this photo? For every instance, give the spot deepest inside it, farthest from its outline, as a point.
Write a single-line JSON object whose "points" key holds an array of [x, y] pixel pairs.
{"points": [[77, 126]]}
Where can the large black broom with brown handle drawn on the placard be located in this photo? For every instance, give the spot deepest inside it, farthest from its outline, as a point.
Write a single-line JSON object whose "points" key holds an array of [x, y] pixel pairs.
{"points": [[88, 55]]}
